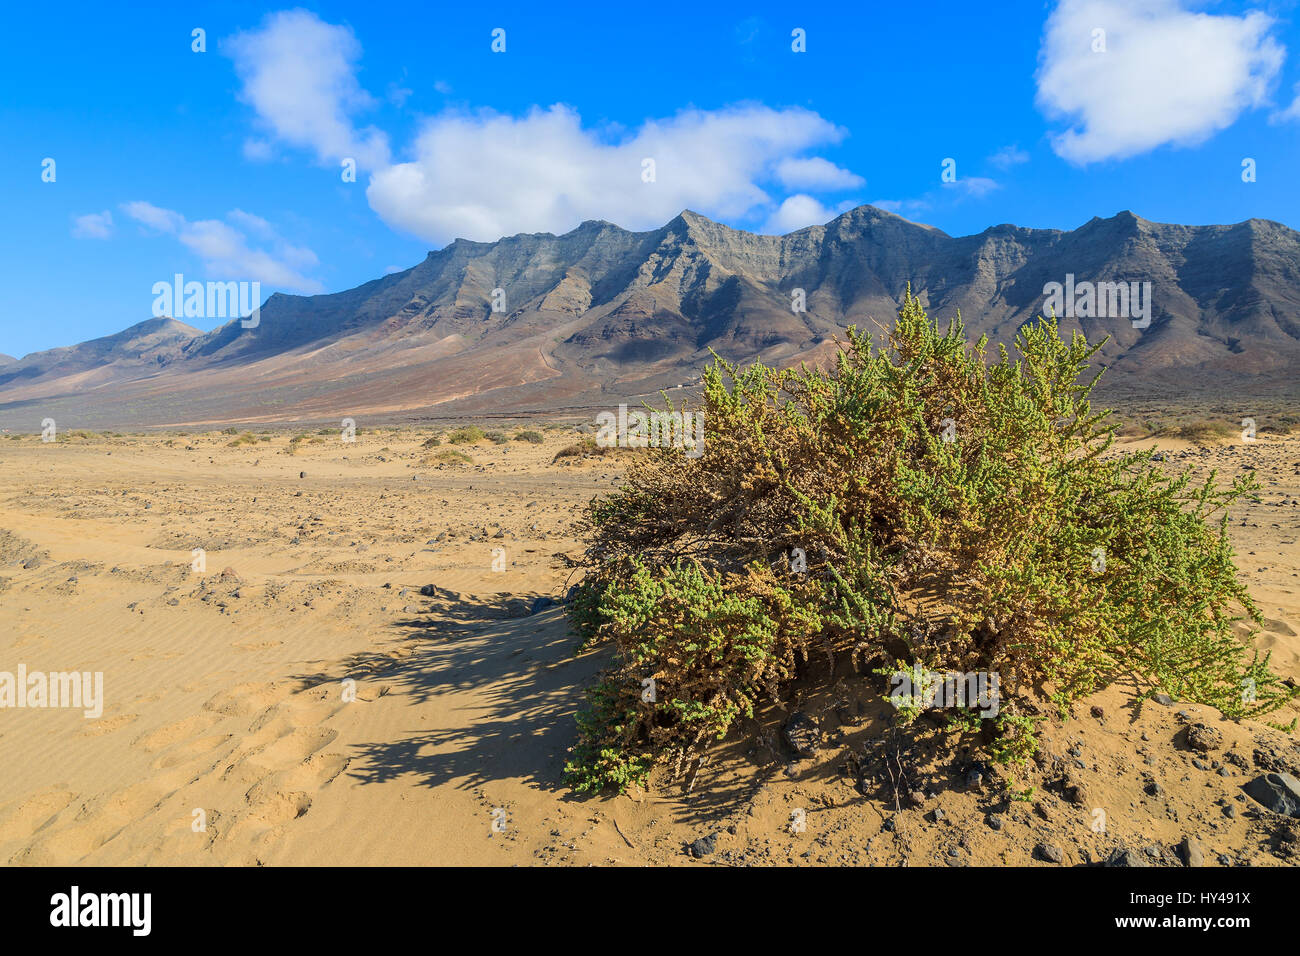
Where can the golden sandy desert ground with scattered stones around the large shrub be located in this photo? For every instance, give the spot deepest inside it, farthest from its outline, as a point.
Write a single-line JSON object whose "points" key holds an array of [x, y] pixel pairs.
{"points": [[350, 681]]}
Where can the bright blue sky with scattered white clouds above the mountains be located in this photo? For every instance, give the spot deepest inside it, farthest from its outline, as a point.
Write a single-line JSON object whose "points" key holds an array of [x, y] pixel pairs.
{"points": [[227, 165]]}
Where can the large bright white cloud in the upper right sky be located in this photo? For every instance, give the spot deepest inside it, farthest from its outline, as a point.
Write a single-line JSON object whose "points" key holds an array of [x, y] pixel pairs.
{"points": [[1168, 75]]}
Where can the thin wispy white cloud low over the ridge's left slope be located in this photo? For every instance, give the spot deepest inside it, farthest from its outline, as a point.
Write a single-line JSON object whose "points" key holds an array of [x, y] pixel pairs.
{"points": [[227, 252]]}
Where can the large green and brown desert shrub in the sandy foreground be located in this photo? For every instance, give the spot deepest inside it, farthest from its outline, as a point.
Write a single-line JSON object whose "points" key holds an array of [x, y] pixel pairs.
{"points": [[954, 511]]}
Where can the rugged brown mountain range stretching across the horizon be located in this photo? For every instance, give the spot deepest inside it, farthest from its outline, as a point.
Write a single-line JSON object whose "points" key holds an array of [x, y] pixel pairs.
{"points": [[603, 315]]}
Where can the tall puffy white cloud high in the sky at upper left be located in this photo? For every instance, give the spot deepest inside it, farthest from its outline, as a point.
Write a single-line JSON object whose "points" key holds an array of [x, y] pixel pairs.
{"points": [[300, 75]]}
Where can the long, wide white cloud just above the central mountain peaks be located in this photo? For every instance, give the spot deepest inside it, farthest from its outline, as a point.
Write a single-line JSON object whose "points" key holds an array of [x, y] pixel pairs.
{"points": [[484, 176]]}
